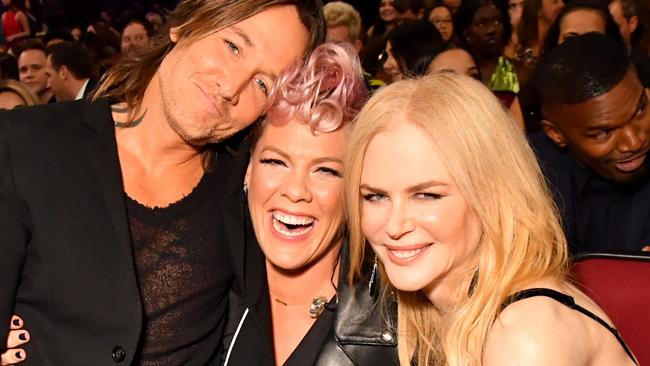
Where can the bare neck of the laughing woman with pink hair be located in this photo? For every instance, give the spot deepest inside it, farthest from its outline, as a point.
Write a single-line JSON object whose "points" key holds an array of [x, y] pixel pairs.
{"points": [[302, 285]]}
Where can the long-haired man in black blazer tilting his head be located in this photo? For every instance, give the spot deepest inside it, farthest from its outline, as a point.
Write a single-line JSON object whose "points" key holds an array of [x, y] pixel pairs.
{"points": [[111, 251]]}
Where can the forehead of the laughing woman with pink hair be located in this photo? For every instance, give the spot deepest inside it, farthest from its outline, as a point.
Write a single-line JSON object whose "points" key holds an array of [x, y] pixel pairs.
{"points": [[297, 139]]}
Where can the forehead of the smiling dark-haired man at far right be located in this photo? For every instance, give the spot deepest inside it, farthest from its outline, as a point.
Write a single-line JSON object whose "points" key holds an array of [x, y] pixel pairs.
{"points": [[609, 110]]}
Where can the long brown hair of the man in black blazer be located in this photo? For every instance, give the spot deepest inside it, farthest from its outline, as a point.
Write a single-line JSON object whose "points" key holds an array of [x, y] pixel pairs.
{"points": [[194, 19]]}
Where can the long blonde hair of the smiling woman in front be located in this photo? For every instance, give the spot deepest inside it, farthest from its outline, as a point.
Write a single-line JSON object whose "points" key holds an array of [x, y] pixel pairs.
{"points": [[497, 173]]}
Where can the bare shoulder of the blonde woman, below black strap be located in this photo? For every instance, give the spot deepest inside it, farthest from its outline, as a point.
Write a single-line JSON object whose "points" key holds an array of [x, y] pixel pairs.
{"points": [[537, 331]]}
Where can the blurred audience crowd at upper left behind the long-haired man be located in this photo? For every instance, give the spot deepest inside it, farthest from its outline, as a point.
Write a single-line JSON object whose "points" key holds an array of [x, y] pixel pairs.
{"points": [[44, 62]]}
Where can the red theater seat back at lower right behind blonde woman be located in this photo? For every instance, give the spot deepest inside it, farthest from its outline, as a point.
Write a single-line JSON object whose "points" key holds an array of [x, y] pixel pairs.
{"points": [[620, 284]]}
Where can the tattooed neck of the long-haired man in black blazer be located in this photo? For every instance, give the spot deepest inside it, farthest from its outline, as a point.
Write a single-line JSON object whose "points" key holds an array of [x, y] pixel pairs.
{"points": [[148, 134]]}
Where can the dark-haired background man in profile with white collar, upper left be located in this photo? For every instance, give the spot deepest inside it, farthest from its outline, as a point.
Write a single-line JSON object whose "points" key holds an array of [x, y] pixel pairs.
{"points": [[70, 71]]}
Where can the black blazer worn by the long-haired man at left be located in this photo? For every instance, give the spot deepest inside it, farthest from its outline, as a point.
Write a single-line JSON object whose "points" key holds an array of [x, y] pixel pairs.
{"points": [[66, 263]]}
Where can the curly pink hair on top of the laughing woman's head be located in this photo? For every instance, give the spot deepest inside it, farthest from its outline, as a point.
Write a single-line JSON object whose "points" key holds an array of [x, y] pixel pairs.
{"points": [[326, 92]]}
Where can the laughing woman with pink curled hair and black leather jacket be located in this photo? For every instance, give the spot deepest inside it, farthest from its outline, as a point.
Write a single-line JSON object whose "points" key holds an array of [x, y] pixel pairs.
{"points": [[290, 307]]}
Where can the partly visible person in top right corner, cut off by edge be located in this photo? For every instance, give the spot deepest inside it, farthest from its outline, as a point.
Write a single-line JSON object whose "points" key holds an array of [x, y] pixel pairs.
{"points": [[624, 14]]}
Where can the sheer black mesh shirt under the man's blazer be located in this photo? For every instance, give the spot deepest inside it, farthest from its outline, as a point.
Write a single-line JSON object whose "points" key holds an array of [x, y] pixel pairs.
{"points": [[184, 277]]}
